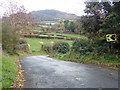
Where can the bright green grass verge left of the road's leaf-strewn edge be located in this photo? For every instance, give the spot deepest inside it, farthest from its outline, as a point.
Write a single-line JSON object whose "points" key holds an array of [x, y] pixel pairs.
{"points": [[9, 70]]}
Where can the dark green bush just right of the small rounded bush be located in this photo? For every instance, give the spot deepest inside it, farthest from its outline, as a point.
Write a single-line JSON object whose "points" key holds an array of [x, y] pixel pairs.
{"points": [[81, 46]]}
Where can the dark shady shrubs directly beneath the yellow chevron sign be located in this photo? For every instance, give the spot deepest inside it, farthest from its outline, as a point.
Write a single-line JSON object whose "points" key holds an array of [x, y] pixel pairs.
{"points": [[102, 46]]}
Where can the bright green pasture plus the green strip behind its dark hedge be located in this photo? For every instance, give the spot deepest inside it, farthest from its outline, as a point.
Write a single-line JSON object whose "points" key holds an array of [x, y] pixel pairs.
{"points": [[36, 42]]}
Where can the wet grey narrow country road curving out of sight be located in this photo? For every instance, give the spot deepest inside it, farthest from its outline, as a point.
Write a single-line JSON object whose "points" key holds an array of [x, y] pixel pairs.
{"points": [[45, 72]]}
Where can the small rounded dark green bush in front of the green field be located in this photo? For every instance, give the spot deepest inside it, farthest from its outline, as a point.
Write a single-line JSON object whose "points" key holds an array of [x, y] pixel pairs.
{"points": [[61, 47]]}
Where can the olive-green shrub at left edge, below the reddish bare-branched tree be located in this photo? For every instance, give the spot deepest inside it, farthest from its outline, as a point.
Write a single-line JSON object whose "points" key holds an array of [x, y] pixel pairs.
{"points": [[10, 39]]}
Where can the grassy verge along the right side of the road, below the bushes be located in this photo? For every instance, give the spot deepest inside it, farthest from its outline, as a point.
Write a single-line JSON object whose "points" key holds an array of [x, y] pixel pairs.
{"points": [[112, 61]]}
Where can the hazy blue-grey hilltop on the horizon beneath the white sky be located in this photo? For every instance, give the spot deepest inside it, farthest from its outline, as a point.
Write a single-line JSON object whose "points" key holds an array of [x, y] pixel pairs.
{"points": [[52, 15]]}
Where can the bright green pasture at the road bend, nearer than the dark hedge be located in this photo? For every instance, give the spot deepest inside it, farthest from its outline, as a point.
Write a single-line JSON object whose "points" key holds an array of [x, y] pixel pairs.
{"points": [[35, 44]]}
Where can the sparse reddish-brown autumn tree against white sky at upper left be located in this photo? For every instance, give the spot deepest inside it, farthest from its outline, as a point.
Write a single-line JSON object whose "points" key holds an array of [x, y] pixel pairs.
{"points": [[20, 20]]}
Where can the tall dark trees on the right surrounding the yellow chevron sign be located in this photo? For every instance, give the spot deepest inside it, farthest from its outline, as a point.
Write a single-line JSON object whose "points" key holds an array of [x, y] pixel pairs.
{"points": [[101, 18]]}
